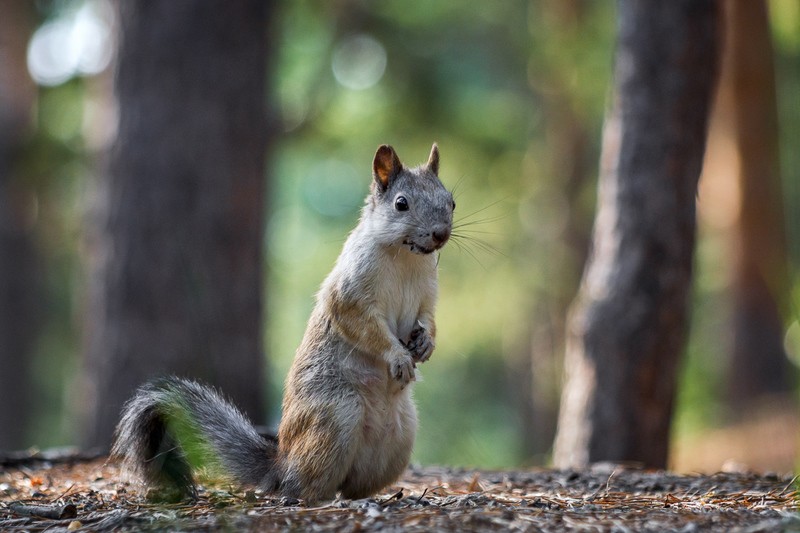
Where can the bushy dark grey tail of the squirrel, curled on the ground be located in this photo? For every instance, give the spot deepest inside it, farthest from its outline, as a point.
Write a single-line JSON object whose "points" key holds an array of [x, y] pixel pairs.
{"points": [[172, 426]]}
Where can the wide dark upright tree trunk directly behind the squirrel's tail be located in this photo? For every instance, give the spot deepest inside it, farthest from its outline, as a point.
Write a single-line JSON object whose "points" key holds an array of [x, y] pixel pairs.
{"points": [[176, 285]]}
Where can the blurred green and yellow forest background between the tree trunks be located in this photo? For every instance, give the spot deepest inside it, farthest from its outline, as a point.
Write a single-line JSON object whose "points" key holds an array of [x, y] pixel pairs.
{"points": [[514, 92]]}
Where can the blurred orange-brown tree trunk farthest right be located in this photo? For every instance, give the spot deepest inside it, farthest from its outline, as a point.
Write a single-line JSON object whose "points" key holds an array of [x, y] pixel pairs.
{"points": [[745, 116]]}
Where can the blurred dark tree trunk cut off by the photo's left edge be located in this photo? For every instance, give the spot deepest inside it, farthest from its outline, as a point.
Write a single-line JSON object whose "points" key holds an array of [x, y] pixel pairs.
{"points": [[19, 283]]}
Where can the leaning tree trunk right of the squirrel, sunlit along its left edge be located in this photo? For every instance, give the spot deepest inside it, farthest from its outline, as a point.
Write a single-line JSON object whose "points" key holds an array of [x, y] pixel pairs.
{"points": [[627, 326]]}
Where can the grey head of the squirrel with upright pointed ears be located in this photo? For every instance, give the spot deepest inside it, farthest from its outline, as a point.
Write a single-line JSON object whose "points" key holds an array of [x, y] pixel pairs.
{"points": [[409, 207]]}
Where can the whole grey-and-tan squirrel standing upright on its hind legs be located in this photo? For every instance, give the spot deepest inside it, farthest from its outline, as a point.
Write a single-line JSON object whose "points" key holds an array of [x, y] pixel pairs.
{"points": [[348, 419]]}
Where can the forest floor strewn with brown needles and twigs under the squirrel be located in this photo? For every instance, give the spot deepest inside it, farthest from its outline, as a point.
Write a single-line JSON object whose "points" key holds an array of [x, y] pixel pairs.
{"points": [[73, 493]]}
